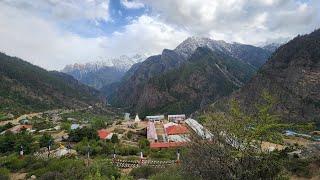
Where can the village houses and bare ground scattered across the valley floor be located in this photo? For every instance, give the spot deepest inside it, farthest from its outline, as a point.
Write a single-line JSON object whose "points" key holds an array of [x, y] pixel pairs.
{"points": [[131, 141]]}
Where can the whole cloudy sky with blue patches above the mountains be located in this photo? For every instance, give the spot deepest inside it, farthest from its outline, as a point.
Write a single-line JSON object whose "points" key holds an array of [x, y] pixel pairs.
{"points": [[54, 33]]}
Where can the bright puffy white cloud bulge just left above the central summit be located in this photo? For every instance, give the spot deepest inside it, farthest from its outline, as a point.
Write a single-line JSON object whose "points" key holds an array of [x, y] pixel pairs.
{"points": [[145, 35]]}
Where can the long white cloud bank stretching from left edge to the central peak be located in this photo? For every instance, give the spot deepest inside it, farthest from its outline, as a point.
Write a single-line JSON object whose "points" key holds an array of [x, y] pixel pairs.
{"points": [[43, 43]]}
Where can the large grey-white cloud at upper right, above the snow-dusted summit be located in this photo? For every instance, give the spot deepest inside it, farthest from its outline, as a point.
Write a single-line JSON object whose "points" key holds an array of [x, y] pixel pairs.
{"points": [[247, 21]]}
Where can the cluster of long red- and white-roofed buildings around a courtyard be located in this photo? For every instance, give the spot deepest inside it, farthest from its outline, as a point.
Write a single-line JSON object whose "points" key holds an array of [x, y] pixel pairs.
{"points": [[174, 131]]}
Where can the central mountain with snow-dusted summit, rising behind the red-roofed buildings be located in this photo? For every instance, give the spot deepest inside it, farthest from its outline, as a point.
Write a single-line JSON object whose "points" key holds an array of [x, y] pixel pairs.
{"points": [[195, 73]]}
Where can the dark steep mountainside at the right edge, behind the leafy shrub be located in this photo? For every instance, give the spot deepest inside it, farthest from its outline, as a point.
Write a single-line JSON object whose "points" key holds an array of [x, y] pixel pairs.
{"points": [[292, 76]]}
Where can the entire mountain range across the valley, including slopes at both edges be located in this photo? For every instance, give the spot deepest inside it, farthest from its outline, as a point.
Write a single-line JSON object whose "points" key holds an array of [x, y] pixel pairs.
{"points": [[197, 73]]}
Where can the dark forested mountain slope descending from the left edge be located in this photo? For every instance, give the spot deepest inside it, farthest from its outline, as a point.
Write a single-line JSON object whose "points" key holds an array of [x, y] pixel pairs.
{"points": [[28, 88]]}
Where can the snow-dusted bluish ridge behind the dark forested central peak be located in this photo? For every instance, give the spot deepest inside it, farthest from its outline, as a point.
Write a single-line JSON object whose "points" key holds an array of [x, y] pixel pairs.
{"points": [[130, 90]]}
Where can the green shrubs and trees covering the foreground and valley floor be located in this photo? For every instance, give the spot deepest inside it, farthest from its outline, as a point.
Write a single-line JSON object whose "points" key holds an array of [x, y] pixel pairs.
{"points": [[235, 152]]}
